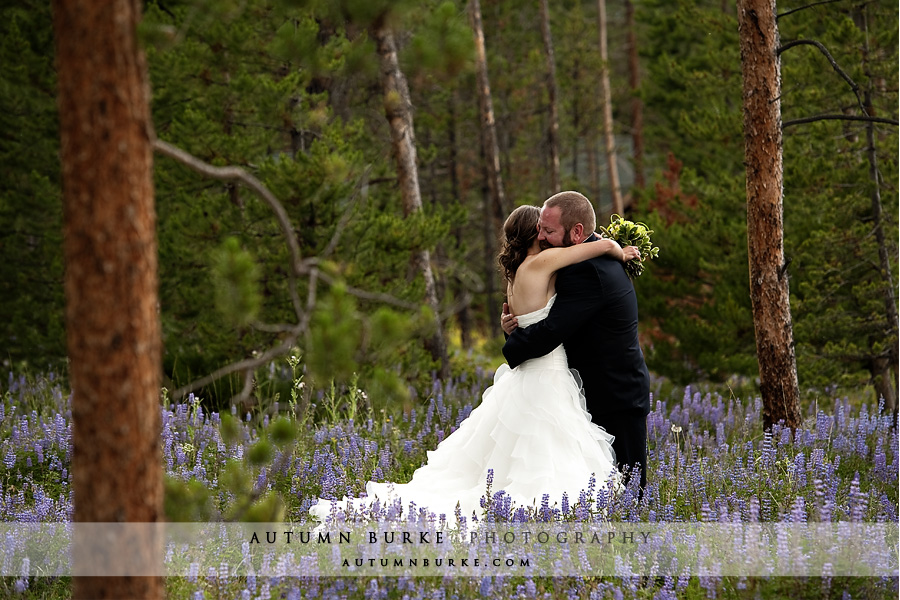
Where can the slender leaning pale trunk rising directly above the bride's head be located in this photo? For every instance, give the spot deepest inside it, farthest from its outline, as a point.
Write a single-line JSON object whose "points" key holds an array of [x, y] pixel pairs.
{"points": [[488, 126]]}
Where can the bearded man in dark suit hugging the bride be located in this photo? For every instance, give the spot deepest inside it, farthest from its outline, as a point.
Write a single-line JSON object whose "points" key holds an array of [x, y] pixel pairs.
{"points": [[595, 316]]}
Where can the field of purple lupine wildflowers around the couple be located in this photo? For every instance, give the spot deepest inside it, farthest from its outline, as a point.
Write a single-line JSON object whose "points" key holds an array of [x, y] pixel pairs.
{"points": [[710, 461]]}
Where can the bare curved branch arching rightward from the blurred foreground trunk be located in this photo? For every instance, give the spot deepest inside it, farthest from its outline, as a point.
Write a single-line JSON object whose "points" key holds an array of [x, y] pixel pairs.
{"points": [[239, 174]]}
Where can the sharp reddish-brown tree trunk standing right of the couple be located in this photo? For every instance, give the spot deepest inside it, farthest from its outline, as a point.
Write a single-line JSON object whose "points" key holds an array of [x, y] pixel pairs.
{"points": [[765, 231]]}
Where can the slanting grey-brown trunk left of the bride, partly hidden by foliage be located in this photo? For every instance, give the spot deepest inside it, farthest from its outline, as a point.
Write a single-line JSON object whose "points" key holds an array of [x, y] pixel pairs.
{"points": [[398, 111]]}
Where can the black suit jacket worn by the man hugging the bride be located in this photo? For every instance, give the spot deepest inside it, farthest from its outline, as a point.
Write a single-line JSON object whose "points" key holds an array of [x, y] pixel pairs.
{"points": [[595, 317]]}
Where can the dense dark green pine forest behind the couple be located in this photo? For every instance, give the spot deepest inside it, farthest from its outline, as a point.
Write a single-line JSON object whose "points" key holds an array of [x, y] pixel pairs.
{"points": [[290, 91]]}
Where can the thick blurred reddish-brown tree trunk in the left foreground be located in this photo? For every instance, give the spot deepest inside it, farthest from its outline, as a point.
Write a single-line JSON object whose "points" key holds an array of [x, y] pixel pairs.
{"points": [[112, 320]]}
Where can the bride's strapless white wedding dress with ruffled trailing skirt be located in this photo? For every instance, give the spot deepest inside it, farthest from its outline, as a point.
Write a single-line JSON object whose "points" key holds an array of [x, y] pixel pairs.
{"points": [[531, 428]]}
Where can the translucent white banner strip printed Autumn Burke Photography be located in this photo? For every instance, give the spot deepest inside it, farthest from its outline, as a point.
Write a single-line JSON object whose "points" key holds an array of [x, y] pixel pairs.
{"points": [[387, 549]]}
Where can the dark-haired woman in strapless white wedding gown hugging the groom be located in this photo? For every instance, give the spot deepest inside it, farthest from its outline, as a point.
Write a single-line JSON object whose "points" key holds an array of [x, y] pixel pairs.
{"points": [[531, 429]]}
